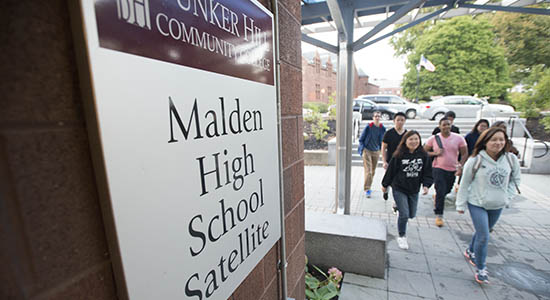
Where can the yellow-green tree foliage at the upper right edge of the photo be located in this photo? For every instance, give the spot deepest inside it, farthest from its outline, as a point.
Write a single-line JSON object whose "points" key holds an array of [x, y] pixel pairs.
{"points": [[525, 38]]}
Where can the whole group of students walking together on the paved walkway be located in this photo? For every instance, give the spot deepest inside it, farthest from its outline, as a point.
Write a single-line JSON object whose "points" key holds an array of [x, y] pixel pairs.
{"points": [[488, 174]]}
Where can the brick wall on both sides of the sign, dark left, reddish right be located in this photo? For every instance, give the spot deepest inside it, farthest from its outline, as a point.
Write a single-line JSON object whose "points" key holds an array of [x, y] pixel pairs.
{"points": [[53, 238]]}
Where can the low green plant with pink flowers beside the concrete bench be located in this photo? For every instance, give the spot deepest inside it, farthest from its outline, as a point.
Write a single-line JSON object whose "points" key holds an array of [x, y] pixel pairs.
{"points": [[325, 289]]}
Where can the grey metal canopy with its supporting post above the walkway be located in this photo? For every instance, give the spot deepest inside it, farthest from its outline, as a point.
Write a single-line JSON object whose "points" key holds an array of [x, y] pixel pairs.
{"points": [[343, 16]]}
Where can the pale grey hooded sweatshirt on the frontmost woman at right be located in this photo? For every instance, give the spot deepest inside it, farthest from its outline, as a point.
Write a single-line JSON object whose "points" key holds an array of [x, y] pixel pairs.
{"points": [[492, 187]]}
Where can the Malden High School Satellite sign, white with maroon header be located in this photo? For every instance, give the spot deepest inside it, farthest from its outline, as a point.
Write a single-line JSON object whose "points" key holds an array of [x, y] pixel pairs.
{"points": [[187, 116]]}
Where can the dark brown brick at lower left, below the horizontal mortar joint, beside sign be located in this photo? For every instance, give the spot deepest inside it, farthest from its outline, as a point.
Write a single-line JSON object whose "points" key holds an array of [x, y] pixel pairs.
{"points": [[58, 202]]}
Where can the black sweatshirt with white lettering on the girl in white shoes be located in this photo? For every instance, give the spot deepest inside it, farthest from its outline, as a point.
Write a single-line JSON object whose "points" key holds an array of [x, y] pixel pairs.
{"points": [[408, 172]]}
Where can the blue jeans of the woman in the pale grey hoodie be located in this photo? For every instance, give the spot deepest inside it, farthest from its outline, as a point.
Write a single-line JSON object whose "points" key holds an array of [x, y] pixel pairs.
{"points": [[483, 220]]}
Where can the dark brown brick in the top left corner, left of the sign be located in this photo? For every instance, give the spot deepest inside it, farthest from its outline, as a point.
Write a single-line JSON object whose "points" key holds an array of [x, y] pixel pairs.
{"points": [[39, 80]]}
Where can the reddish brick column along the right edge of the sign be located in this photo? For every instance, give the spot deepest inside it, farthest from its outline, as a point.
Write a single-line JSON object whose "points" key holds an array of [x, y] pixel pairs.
{"points": [[264, 282]]}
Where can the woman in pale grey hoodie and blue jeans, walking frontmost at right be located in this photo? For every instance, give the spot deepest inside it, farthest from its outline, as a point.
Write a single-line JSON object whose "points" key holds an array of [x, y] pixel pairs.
{"points": [[490, 179]]}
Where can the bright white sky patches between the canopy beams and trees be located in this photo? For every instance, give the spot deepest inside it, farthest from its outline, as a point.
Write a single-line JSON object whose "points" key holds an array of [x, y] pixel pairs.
{"points": [[377, 60]]}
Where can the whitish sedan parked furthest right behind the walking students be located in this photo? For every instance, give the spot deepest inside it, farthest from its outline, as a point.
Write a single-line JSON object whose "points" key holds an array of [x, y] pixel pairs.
{"points": [[463, 106]]}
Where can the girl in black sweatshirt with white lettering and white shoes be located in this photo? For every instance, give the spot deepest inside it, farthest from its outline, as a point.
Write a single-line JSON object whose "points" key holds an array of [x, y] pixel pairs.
{"points": [[409, 168]]}
